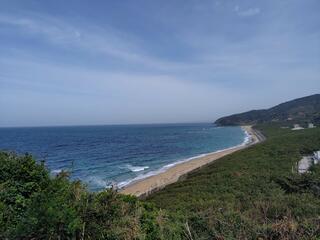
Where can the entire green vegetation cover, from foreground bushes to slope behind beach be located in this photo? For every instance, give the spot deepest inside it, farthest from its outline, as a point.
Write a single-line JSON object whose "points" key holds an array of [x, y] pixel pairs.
{"points": [[252, 194]]}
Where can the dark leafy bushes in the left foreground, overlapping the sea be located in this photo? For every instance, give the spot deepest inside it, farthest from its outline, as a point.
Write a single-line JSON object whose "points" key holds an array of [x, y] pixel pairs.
{"points": [[35, 205]]}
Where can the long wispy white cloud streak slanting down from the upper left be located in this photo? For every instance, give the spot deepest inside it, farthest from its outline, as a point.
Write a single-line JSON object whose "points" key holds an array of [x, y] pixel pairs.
{"points": [[106, 42]]}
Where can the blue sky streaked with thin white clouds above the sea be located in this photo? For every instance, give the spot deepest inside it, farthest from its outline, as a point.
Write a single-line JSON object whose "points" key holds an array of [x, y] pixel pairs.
{"points": [[83, 62]]}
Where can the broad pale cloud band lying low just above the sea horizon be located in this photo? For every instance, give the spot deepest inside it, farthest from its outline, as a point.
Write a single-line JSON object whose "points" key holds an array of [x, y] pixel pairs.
{"points": [[87, 95]]}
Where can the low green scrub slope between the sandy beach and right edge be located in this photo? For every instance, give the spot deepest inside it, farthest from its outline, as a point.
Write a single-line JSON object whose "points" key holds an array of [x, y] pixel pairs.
{"points": [[252, 194]]}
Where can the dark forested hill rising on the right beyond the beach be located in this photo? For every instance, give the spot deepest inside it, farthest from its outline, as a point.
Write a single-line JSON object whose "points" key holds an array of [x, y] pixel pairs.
{"points": [[301, 110]]}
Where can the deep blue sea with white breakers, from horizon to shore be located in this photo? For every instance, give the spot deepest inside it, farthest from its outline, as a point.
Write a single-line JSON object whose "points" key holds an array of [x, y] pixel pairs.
{"points": [[102, 156]]}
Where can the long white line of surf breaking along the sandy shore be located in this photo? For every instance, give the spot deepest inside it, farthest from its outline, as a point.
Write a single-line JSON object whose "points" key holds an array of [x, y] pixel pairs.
{"points": [[247, 140]]}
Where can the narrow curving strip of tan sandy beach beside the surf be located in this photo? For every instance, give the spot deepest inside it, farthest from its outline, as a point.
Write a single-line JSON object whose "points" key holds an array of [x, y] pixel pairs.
{"points": [[145, 186]]}
